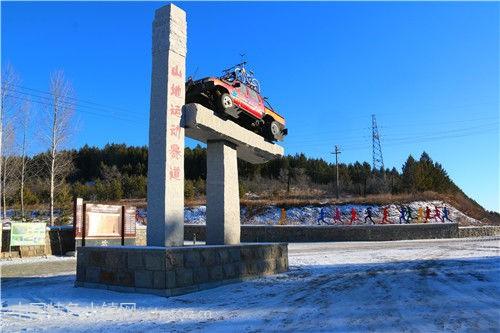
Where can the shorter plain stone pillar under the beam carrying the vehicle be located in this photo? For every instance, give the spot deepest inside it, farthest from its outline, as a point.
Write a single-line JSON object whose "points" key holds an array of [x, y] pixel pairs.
{"points": [[223, 200]]}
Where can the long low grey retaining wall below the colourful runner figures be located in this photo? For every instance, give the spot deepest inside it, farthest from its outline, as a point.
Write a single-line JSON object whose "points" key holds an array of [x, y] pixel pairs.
{"points": [[284, 233]]}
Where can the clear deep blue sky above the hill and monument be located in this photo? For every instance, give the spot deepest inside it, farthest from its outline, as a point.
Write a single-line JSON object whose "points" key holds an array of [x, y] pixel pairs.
{"points": [[429, 71]]}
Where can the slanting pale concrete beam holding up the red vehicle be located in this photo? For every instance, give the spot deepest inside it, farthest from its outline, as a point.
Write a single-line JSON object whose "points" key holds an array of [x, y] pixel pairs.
{"points": [[201, 124]]}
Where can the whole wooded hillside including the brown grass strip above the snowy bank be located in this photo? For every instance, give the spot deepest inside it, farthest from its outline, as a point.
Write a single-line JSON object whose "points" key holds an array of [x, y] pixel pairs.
{"points": [[119, 172]]}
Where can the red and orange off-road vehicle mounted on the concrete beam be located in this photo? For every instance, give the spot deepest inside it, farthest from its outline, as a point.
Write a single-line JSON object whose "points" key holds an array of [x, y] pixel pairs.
{"points": [[231, 98]]}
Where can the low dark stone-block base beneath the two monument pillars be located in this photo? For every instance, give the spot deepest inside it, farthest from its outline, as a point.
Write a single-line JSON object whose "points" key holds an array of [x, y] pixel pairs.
{"points": [[176, 270]]}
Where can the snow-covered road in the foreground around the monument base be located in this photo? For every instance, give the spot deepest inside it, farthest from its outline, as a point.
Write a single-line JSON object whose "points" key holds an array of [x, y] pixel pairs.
{"points": [[407, 286]]}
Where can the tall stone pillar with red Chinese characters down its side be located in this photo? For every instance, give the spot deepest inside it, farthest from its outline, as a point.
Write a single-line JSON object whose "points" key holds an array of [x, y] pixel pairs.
{"points": [[166, 136]]}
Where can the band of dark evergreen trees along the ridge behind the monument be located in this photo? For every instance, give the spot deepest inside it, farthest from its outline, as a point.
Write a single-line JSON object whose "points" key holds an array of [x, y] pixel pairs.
{"points": [[116, 161]]}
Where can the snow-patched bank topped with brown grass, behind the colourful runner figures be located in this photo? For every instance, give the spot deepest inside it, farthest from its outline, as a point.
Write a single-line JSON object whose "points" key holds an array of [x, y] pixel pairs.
{"points": [[307, 210]]}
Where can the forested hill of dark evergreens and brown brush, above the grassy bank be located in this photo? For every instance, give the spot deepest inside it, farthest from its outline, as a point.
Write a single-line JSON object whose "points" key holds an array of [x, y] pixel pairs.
{"points": [[118, 171]]}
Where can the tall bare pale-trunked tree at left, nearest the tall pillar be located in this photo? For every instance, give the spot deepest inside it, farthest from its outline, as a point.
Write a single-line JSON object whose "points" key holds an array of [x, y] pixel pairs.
{"points": [[59, 124]]}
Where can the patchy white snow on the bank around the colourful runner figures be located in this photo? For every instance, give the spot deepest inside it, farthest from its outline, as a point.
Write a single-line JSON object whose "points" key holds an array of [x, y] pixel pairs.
{"points": [[308, 215]]}
